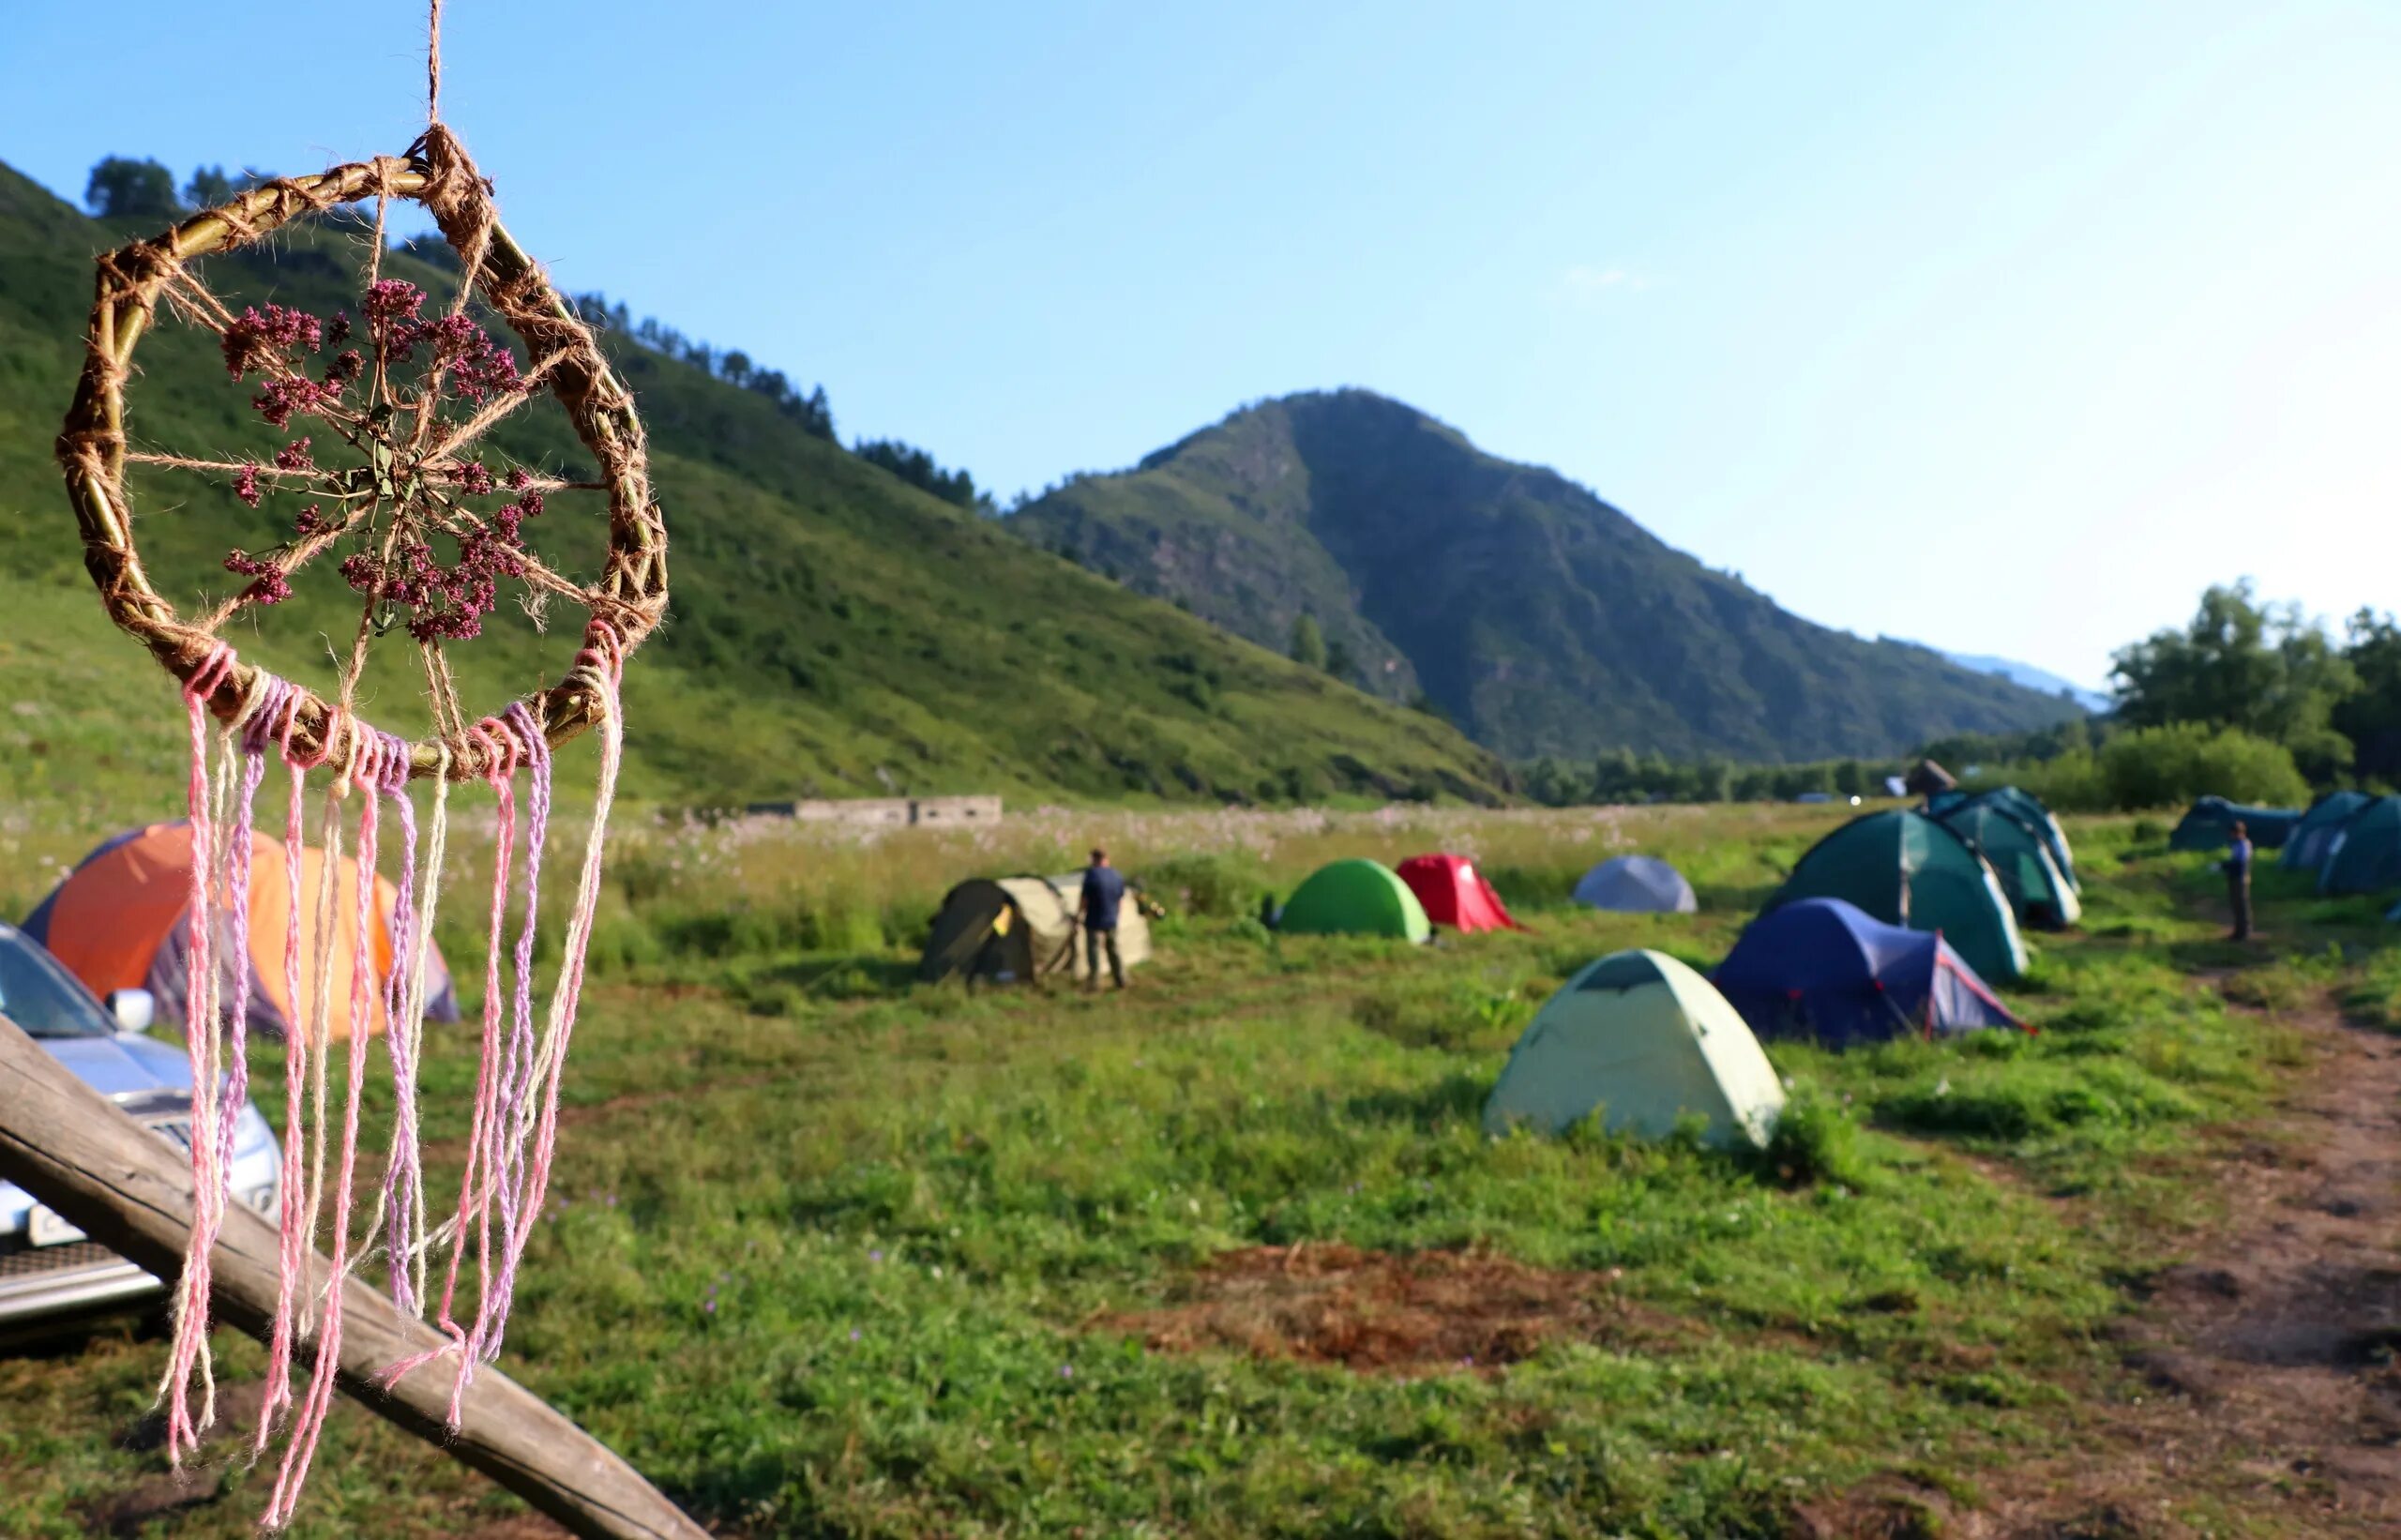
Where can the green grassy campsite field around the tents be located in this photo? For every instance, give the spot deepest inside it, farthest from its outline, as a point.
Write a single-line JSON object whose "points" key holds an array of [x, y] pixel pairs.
{"points": [[839, 1255]]}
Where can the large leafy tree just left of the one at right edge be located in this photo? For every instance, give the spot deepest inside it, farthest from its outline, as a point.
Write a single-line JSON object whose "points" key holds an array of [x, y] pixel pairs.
{"points": [[2241, 664]]}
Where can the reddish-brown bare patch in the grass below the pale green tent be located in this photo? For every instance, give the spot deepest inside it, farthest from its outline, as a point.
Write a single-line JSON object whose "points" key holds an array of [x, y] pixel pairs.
{"points": [[1382, 1313]]}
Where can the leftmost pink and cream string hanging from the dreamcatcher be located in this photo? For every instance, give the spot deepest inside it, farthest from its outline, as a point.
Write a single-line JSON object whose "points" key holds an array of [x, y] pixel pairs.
{"points": [[191, 1339]]}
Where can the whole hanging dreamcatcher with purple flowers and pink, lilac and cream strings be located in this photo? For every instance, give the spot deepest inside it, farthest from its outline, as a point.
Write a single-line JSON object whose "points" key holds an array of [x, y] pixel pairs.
{"points": [[390, 477]]}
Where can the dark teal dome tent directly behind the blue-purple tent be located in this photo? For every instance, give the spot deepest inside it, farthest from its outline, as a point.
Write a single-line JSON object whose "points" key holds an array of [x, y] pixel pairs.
{"points": [[1908, 869]]}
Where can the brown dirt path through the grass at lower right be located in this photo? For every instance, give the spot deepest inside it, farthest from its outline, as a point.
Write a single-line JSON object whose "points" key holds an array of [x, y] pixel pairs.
{"points": [[2270, 1356]]}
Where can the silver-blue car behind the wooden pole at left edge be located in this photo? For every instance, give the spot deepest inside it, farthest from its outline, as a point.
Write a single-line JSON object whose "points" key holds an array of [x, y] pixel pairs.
{"points": [[49, 1267]]}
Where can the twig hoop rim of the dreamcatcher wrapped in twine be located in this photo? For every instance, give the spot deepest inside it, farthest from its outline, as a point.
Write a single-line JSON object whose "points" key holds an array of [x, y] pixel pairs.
{"points": [[436, 174]]}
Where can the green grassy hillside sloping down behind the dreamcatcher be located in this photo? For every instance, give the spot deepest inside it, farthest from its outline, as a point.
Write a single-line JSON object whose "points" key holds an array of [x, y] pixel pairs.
{"points": [[834, 631]]}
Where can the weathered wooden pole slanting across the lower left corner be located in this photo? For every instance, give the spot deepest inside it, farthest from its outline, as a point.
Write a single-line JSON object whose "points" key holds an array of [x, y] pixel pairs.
{"points": [[133, 1193]]}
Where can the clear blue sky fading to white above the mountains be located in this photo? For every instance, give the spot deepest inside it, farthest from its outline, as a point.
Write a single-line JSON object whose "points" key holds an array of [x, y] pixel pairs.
{"points": [[1992, 326]]}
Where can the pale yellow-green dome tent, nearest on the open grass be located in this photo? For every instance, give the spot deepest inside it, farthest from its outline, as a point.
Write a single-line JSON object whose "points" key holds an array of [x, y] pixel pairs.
{"points": [[1643, 1041]]}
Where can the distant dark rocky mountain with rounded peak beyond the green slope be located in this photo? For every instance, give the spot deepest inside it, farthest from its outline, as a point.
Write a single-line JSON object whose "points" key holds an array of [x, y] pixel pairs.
{"points": [[1531, 611]]}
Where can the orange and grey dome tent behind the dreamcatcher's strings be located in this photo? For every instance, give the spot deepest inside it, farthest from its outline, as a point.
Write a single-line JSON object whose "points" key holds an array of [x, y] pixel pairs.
{"points": [[119, 924]]}
